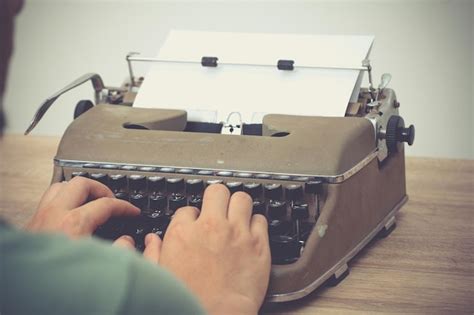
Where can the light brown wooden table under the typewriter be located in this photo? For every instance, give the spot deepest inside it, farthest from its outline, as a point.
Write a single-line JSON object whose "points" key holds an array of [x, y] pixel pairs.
{"points": [[424, 266]]}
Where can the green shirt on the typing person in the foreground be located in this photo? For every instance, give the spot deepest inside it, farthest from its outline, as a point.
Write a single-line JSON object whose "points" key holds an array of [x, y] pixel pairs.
{"points": [[51, 274]]}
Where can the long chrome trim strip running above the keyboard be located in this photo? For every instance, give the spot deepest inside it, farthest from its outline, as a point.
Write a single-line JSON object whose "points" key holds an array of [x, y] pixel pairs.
{"points": [[336, 179]]}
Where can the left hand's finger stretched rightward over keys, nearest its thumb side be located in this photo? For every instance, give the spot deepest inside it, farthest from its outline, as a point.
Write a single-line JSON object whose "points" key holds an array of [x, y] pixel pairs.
{"points": [[97, 212]]}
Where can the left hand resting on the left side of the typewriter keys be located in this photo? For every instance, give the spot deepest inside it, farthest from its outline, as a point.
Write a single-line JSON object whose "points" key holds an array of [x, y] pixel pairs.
{"points": [[76, 208]]}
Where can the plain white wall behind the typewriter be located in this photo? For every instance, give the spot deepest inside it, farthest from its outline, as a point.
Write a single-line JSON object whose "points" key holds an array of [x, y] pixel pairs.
{"points": [[426, 45]]}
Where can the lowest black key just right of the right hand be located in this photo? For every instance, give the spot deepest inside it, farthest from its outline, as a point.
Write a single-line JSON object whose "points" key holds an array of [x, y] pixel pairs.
{"points": [[285, 249]]}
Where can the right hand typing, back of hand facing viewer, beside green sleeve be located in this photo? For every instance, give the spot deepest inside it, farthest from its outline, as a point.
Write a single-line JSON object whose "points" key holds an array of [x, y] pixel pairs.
{"points": [[222, 253]]}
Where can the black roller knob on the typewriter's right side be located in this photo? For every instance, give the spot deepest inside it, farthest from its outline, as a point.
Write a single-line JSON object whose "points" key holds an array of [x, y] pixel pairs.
{"points": [[396, 133]]}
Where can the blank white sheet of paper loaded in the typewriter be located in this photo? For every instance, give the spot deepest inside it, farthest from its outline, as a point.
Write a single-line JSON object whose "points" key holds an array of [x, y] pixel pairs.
{"points": [[212, 94]]}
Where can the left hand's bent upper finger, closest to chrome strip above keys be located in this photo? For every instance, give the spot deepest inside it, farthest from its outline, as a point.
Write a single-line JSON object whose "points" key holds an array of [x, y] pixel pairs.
{"points": [[79, 190]]}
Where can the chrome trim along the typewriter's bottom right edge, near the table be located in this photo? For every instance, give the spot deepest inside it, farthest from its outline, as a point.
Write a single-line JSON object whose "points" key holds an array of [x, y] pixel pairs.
{"points": [[344, 261]]}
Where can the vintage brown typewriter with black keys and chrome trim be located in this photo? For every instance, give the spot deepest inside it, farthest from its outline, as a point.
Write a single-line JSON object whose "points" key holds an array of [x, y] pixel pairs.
{"points": [[327, 185]]}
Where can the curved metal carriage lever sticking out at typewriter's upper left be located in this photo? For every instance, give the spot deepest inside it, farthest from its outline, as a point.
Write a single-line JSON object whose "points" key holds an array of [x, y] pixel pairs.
{"points": [[97, 84]]}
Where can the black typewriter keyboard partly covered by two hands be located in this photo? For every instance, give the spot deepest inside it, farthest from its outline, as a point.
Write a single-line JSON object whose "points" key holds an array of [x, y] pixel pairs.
{"points": [[290, 204]]}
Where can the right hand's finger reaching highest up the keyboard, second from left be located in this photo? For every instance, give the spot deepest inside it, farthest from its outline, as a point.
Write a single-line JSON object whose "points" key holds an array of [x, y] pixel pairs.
{"points": [[215, 202]]}
